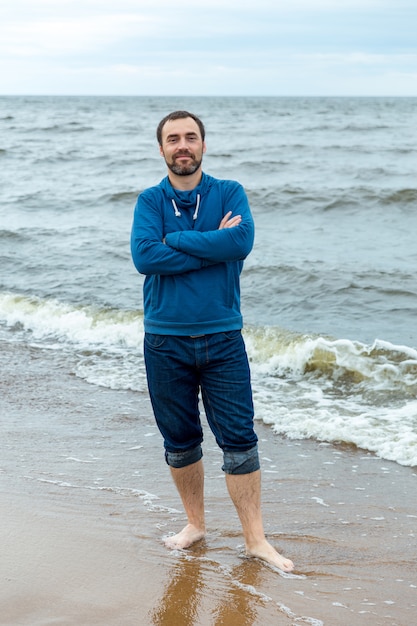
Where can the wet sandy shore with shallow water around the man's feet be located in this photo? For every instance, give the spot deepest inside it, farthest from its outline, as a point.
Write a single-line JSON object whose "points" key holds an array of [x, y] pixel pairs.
{"points": [[86, 498]]}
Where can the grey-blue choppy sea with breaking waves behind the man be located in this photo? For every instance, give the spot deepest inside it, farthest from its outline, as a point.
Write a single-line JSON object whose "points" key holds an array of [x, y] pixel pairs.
{"points": [[329, 292]]}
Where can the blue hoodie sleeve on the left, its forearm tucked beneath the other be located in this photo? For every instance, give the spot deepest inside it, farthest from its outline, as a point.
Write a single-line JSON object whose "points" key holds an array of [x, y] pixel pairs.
{"points": [[150, 255]]}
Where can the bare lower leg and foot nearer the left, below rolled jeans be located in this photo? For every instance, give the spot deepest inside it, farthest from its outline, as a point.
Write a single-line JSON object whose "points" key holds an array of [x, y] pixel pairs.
{"points": [[189, 481]]}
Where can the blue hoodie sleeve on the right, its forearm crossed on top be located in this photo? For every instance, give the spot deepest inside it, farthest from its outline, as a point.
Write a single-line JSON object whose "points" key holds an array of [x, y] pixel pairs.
{"points": [[227, 244]]}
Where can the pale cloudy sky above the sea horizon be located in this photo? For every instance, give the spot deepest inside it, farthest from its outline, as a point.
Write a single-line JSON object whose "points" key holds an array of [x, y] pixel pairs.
{"points": [[209, 47]]}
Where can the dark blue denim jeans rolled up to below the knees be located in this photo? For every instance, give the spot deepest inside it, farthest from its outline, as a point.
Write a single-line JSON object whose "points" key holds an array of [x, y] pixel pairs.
{"points": [[178, 368]]}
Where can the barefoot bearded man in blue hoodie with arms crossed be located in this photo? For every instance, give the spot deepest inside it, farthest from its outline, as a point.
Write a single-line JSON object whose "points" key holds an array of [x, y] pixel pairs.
{"points": [[190, 235]]}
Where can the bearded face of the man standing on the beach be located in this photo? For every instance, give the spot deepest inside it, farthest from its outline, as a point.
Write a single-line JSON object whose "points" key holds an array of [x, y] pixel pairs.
{"points": [[182, 146]]}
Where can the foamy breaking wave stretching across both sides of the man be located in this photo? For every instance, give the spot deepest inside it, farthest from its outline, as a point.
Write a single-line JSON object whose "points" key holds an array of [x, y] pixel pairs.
{"points": [[304, 386]]}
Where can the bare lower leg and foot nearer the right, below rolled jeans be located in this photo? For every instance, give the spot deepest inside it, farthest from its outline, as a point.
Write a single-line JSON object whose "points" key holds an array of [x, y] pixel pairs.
{"points": [[245, 491]]}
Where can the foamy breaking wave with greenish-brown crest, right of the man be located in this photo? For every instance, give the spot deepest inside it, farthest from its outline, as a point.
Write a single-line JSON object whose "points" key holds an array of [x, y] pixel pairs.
{"points": [[338, 391]]}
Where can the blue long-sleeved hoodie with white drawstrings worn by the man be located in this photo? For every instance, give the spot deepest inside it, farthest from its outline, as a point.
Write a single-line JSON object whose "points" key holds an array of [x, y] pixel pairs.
{"points": [[192, 268]]}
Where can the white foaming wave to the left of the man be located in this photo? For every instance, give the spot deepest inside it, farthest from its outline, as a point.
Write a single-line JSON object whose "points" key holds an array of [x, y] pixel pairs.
{"points": [[107, 342]]}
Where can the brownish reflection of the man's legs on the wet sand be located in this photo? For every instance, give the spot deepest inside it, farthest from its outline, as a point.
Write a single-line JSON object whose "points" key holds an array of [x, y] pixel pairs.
{"points": [[201, 589]]}
